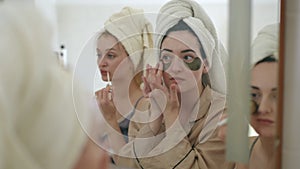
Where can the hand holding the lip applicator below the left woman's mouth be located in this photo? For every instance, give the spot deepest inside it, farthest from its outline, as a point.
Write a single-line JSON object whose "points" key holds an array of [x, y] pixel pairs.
{"points": [[106, 105]]}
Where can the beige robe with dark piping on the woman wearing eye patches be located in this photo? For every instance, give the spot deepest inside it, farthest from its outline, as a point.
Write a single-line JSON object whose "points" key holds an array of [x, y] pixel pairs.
{"points": [[161, 152]]}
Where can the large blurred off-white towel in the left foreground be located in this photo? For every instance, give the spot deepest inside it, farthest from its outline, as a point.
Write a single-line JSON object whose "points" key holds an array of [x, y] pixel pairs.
{"points": [[39, 128]]}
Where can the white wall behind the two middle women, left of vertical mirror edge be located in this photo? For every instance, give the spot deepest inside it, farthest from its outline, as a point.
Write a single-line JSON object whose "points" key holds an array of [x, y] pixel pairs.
{"points": [[78, 22]]}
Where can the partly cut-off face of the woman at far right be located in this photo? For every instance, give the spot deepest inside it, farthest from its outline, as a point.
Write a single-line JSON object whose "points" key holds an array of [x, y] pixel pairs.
{"points": [[264, 92]]}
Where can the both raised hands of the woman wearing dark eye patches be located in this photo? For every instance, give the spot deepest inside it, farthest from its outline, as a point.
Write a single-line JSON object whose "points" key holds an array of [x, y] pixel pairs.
{"points": [[164, 101]]}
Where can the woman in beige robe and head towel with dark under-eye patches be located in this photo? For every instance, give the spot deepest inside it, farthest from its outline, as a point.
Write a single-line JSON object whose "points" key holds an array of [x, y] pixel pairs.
{"points": [[186, 91]]}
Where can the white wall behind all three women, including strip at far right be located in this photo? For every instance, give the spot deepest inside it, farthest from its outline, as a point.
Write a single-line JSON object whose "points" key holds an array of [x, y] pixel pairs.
{"points": [[79, 20]]}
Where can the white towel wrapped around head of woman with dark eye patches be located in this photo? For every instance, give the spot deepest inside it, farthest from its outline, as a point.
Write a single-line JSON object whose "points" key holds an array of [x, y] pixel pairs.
{"points": [[194, 15]]}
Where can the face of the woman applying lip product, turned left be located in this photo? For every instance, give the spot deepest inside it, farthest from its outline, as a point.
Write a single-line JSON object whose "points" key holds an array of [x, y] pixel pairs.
{"points": [[110, 54]]}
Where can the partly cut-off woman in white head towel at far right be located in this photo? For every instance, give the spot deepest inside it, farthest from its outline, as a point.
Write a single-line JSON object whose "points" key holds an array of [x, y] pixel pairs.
{"points": [[264, 93]]}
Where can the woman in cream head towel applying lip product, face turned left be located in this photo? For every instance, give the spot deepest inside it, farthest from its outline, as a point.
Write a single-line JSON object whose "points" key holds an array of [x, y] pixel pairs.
{"points": [[123, 48]]}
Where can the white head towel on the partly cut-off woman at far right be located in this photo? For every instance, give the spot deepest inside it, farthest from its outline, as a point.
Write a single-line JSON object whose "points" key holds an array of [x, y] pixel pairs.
{"points": [[266, 43]]}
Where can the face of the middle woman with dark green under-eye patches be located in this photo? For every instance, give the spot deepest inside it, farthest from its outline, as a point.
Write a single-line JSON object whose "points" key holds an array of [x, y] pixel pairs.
{"points": [[183, 65]]}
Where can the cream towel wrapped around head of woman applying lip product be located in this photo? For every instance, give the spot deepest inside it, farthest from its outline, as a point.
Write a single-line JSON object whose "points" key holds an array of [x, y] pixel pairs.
{"points": [[134, 31]]}
